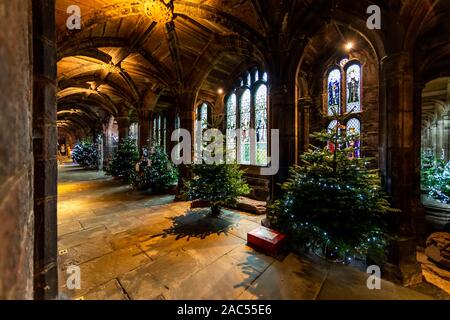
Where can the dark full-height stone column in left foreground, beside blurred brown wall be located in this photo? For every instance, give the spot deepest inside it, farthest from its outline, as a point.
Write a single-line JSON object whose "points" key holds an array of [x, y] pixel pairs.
{"points": [[44, 150]]}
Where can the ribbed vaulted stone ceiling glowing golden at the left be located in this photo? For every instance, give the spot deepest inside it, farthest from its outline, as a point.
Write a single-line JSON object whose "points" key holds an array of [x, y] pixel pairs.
{"points": [[120, 59]]}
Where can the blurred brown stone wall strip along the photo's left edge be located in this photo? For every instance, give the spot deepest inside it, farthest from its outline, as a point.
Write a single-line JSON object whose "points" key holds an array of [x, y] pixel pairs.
{"points": [[16, 162]]}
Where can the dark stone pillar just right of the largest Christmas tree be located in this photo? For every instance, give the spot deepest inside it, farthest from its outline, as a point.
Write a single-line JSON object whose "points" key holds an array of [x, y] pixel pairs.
{"points": [[402, 157]]}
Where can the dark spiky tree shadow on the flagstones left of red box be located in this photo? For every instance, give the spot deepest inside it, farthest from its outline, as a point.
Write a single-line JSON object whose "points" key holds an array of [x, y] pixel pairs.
{"points": [[197, 224]]}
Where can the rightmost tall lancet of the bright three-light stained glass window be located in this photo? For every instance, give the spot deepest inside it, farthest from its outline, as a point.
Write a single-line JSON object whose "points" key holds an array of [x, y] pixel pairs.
{"points": [[261, 125]]}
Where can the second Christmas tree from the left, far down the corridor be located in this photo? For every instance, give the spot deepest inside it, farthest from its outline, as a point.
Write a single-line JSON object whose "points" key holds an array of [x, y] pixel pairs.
{"points": [[124, 159]]}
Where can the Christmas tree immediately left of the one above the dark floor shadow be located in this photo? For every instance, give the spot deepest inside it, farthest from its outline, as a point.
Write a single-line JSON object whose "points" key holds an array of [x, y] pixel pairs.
{"points": [[155, 172]]}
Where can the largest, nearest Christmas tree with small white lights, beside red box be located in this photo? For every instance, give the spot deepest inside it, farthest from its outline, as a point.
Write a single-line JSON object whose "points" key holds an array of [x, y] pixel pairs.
{"points": [[332, 201]]}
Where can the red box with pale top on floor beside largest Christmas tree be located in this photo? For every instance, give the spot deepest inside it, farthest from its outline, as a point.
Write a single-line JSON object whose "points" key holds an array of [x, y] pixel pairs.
{"points": [[266, 240]]}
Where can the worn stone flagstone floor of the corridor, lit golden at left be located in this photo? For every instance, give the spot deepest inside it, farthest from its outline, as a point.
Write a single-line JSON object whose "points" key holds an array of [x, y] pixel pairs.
{"points": [[129, 245]]}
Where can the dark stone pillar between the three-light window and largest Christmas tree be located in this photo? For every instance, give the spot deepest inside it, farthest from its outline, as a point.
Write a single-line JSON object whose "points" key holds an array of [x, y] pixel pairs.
{"points": [[283, 117]]}
